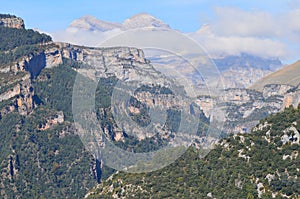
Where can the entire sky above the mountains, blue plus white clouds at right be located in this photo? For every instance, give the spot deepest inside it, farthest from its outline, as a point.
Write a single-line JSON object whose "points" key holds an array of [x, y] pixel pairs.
{"points": [[268, 28]]}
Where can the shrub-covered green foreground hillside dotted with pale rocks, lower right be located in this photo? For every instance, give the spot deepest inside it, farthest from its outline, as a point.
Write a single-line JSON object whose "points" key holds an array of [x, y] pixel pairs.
{"points": [[264, 164]]}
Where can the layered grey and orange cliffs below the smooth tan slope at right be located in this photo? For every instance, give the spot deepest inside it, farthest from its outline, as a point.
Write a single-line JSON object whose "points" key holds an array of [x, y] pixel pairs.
{"points": [[245, 107]]}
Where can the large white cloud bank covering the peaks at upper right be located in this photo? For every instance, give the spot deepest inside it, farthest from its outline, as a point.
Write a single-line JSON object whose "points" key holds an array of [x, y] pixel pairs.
{"points": [[236, 31]]}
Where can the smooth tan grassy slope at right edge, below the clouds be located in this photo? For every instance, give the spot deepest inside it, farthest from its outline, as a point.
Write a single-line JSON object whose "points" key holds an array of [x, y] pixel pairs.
{"points": [[287, 75]]}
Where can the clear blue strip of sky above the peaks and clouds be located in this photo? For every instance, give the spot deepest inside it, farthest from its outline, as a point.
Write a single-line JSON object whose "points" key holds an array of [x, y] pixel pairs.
{"points": [[185, 15]]}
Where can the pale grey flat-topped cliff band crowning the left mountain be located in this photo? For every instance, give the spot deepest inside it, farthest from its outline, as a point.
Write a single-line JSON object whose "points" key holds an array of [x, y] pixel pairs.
{"points": [[122, 62]]}
